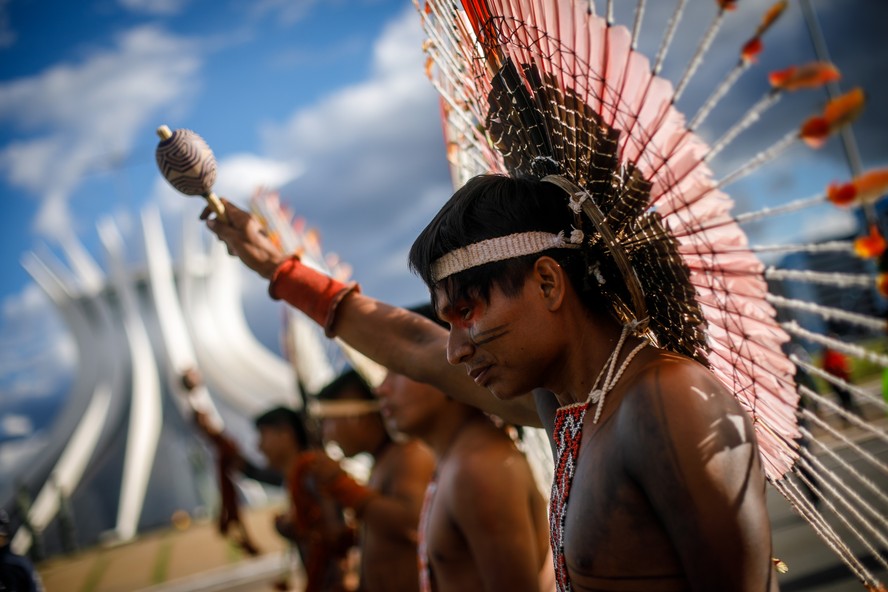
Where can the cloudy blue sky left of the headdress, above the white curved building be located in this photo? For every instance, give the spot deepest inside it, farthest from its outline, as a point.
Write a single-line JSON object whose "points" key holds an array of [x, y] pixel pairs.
{"points": [[81, 95]]}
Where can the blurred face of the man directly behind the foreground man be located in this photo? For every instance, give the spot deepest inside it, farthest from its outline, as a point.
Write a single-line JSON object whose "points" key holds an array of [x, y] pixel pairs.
{"points": [[408, 406]]}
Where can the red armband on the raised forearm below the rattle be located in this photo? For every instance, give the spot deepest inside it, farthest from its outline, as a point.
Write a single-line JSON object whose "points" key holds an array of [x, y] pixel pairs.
{"points": [[312, 292]]}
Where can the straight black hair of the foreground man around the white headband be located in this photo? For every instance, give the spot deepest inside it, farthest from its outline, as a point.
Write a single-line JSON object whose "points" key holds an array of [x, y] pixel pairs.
{"points": [[490, 206]]}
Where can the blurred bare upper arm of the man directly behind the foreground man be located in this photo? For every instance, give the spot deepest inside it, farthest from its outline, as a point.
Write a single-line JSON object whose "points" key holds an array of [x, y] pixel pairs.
{"points": [[490, 507]]}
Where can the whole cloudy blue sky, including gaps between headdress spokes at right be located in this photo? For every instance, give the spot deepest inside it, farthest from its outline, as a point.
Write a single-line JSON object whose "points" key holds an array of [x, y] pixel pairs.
{"points": [[325, 100]]}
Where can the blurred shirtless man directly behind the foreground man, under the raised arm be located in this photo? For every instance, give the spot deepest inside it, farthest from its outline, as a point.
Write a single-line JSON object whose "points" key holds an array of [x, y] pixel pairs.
{"points": [[484, 520]]}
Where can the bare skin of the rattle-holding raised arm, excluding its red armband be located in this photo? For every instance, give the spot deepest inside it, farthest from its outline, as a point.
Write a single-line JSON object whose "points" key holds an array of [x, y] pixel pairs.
{"points": [[402, 341]]}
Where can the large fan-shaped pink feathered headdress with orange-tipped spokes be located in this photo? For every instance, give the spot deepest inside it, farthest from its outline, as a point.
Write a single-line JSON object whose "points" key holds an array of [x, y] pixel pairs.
{"points": [[552, 90]]}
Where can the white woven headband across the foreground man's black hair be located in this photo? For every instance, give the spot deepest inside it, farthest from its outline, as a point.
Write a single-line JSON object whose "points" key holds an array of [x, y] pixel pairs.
{"points": [[500, 249]]}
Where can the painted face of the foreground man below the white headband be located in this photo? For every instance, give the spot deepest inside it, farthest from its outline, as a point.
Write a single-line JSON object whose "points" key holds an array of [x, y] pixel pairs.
{"points": [[501, 342]]}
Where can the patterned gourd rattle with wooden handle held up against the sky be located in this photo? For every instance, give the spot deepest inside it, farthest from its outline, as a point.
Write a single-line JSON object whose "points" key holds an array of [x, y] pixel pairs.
{"points": [[186, 161]]}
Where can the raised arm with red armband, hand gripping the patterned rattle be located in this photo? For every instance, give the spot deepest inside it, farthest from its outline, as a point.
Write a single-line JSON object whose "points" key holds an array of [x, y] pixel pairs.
{"points": [[400, 340]]}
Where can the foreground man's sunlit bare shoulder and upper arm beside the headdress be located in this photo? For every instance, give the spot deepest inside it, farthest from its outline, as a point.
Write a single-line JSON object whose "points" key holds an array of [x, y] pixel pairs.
{"points": [[692, 450]]}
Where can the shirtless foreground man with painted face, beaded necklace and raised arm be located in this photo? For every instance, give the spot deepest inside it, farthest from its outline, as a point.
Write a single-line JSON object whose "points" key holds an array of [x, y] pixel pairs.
{"points": [[668, 492]]}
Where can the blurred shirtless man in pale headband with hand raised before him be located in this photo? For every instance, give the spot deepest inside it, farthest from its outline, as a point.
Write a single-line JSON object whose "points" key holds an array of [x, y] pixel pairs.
{"points": [[389, 510]]}
